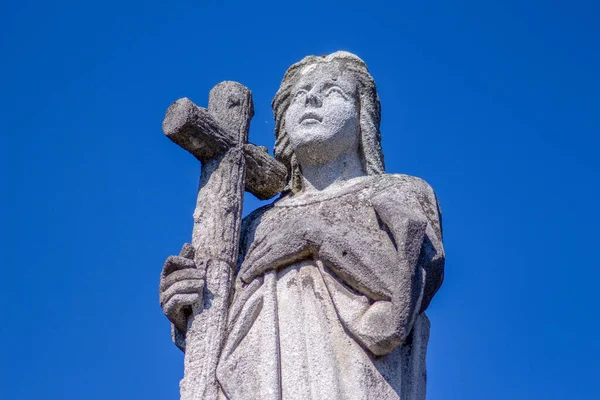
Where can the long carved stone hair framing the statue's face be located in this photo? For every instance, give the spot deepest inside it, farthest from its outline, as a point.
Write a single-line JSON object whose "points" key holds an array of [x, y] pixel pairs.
{"points": [[369, 106]]}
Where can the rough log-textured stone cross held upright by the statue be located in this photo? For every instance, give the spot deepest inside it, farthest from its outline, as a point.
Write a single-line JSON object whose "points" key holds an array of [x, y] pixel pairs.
{"points": [[218, 138]]}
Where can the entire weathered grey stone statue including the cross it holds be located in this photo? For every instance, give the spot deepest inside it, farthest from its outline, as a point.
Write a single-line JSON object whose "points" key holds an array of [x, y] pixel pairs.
{"points": [[325, 295]]}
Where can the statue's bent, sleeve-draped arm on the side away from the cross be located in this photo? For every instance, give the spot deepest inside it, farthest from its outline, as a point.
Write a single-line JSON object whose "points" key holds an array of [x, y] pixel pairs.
{"points": [[410, 213]]}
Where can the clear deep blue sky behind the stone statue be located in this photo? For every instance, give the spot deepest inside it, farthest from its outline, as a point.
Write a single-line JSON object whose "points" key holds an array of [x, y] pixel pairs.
{"points": [[495, 103]]}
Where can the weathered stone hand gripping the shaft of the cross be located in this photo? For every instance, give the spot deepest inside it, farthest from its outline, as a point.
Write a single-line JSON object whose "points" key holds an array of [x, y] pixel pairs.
{"points": [[181, 285]]}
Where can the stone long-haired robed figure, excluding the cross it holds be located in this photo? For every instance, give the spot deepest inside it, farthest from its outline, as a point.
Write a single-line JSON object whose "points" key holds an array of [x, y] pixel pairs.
{"points": [[333, 278]]}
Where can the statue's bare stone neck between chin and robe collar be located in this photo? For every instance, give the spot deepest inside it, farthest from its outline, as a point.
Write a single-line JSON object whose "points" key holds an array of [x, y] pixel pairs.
{"points": [[331, 174]]}
